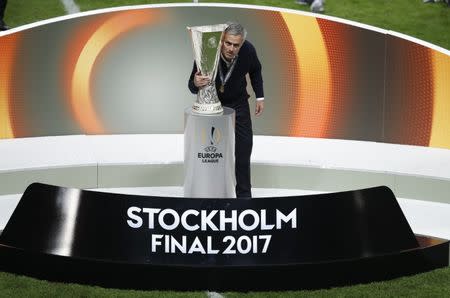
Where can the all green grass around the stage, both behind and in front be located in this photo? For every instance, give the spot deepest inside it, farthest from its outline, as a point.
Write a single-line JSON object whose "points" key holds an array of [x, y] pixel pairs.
{"points": [[430, 22]]}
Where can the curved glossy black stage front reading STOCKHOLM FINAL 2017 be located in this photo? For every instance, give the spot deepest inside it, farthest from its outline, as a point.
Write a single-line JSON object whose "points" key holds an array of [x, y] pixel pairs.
{"points": [[300, 242]]}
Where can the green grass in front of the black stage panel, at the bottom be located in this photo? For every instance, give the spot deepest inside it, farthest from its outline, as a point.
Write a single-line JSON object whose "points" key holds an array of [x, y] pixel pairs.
{"points": [[431, 284]]}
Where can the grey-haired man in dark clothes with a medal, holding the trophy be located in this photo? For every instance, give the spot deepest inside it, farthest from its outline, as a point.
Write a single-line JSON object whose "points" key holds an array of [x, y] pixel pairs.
{"points": [[238, 58]]}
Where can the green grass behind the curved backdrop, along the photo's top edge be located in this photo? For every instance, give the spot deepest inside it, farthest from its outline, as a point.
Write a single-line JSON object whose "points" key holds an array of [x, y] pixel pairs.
{"points": [[430, 22]]}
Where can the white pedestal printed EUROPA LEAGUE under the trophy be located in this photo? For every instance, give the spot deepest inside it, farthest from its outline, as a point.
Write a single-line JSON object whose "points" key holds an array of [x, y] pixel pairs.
{"points": [[209, 155]]}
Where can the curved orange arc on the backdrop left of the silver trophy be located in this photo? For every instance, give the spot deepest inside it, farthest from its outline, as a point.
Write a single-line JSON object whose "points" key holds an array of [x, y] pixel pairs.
{"points": [[95, 37]]}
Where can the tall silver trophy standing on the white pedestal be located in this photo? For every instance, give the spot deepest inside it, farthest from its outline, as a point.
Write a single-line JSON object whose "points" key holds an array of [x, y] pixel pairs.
{"points": [[206, 43]]}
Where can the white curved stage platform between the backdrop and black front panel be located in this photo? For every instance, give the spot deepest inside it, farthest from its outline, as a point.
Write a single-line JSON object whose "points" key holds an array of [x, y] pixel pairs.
{"points": [[153, 165]]}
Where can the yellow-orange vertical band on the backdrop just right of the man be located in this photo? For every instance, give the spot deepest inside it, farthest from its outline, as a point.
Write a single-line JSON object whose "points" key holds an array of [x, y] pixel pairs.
{"points": [[311, 112]]}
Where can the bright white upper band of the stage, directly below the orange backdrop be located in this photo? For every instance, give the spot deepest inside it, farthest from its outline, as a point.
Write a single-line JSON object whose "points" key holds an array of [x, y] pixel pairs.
{"points": [[82, 150]]}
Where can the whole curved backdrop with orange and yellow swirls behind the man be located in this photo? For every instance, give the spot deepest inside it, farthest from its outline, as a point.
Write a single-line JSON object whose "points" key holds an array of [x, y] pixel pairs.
{"points": [[126, 72]]}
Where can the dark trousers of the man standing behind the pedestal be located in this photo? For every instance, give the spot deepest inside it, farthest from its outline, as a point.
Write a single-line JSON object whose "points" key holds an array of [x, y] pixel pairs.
{"points": [[243, 148]]}
